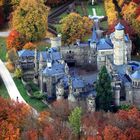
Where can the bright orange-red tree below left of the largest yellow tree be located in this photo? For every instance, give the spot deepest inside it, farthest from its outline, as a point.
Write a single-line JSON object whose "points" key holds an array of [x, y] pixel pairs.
{"points": [[15, 40]]}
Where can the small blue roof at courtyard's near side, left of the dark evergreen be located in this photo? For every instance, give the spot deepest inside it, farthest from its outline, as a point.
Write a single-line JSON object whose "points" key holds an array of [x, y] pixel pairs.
{"points": [[77, 82]]}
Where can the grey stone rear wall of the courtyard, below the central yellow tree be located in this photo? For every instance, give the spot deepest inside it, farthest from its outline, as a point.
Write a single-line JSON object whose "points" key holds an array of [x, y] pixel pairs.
{"points": [[82, 56]]}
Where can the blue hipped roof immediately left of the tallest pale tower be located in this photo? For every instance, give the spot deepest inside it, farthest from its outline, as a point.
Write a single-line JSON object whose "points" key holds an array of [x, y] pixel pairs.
{"points": [[104, 44]]}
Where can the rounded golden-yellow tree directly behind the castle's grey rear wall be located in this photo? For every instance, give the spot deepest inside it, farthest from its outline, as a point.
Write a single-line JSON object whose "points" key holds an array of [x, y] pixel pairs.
{"points": [[75, 27]]}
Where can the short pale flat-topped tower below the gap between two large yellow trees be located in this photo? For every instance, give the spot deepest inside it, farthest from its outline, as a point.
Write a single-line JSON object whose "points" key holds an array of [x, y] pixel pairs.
{"points": [[56, 41]]}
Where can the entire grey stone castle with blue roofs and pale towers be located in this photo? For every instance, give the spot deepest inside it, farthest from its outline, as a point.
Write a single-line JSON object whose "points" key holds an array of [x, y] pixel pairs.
{"points": [[52, 74]]}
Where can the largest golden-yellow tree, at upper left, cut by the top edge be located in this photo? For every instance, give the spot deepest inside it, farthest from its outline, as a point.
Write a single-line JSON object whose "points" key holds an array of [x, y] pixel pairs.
{"points": [[30, 19]]}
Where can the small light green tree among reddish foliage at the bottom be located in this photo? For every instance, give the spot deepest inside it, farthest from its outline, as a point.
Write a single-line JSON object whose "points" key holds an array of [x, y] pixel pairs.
{"points": [[75, 120]]}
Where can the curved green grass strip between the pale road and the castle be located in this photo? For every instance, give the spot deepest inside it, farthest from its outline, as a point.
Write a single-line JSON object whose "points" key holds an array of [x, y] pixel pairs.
{"points": [[37, 104]]}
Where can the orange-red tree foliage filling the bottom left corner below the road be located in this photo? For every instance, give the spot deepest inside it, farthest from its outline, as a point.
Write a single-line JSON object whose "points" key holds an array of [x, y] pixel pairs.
{"points": [[12, 117]]}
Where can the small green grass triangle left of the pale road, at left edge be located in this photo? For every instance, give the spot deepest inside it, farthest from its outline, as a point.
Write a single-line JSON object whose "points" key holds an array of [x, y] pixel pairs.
{"points": [[3, 90]]}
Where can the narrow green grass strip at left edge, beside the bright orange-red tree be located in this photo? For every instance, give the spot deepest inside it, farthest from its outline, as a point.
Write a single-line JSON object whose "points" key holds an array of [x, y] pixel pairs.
{"points": [[2, 48]]}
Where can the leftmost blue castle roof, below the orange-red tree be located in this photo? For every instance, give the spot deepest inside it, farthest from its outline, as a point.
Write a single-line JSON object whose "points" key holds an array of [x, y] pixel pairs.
{"points": [[25, 53]]}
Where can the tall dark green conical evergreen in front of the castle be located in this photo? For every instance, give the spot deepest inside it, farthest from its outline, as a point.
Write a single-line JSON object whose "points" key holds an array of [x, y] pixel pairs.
{"points": [[104, 90]]}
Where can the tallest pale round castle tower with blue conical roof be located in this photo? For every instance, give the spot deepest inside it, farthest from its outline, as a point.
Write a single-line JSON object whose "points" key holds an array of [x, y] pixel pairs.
{"points": [[120, 50]]}
